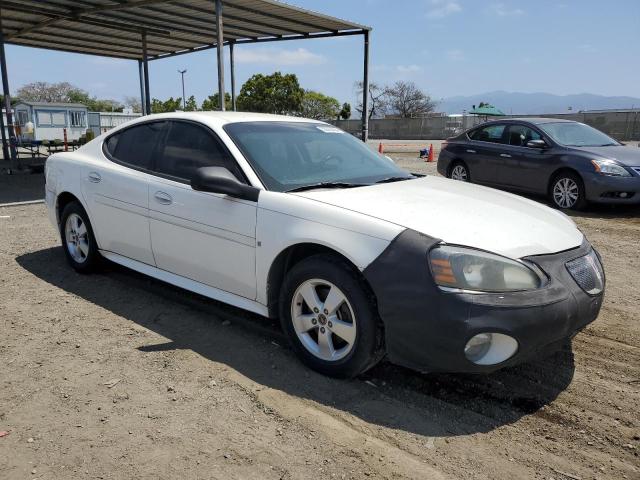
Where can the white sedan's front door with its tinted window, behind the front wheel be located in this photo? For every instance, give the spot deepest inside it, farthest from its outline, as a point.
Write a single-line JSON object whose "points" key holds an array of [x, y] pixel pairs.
{"points": [[206, 237]]}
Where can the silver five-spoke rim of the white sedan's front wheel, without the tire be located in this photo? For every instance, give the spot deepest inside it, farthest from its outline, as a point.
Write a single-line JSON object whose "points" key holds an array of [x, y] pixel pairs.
{"points": [[323, 320]]}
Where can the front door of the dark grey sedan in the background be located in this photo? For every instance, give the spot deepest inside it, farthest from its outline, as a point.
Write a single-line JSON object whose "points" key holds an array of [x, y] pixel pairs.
{"points": [[526, 167]]}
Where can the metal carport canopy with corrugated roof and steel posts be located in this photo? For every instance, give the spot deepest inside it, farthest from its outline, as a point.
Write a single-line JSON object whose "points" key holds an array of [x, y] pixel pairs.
{"points": [[146, 30]]}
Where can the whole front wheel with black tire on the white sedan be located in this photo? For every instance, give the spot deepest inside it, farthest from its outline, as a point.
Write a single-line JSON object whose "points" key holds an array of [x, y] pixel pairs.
{"points": [[330, 317]]}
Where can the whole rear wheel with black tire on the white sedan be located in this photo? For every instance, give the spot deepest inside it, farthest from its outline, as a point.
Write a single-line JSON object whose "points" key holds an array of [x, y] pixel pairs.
{"points": [[78, 242]]}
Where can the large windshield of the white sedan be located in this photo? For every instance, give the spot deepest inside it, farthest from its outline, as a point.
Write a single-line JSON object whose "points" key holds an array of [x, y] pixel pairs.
{"points": [[292, 155]]}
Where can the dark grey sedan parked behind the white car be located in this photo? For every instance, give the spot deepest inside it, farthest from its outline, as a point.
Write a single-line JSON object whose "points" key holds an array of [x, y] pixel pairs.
{"points": [[570, 162]]}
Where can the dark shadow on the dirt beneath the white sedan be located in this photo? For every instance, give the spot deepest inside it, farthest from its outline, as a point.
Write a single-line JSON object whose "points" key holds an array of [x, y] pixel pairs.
{"points": [[389, 396]]}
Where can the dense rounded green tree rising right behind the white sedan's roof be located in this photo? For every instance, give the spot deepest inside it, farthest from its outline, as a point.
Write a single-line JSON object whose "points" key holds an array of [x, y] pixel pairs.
{"points": [[275, 93]]}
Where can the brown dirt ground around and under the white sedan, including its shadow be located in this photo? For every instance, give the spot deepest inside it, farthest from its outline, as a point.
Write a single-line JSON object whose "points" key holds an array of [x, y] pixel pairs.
{"points": [[116, 376]]}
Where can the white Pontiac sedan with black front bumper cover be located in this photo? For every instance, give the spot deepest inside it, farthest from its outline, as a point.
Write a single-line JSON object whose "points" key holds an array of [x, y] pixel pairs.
{"points": [[293, 218]]}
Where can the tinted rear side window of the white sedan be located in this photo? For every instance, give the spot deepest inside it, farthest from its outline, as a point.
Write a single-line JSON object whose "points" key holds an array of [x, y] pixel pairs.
{"points": [[134, 146]]}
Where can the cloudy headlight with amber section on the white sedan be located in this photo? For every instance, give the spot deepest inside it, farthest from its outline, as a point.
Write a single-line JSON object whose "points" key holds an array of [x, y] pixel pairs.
{"points": [[467, 269]]}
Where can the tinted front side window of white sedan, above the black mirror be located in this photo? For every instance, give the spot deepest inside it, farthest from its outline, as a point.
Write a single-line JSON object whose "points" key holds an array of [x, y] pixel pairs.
{"points": [[189, 147]]}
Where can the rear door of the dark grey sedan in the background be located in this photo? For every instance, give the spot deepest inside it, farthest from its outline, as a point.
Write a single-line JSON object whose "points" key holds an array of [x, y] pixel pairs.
{"points": [[483, 155]]}
